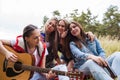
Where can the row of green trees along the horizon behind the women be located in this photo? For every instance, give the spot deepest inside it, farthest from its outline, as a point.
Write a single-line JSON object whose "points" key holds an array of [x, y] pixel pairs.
{"points": [[109, 26]]}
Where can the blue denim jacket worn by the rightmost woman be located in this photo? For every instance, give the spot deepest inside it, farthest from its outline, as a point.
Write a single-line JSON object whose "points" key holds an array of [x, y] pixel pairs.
{"points": [[81, 54]]}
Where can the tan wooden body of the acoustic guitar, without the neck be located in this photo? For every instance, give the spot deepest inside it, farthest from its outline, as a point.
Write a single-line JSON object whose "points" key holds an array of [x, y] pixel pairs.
{"points": [[8, 70]]}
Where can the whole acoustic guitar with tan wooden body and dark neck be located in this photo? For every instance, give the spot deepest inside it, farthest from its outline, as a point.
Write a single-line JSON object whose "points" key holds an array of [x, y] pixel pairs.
{"points": [[21, 70]]}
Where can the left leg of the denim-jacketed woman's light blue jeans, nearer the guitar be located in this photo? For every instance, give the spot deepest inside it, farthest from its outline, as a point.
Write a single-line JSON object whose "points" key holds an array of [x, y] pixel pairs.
{"points": [[91, 67]]}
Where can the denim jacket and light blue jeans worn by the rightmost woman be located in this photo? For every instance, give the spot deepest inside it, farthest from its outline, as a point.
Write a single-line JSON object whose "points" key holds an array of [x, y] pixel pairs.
{"points": [[89, 66]]}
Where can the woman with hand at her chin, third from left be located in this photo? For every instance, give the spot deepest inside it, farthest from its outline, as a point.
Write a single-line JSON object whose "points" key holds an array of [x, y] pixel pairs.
{"points": [[66, 57]]}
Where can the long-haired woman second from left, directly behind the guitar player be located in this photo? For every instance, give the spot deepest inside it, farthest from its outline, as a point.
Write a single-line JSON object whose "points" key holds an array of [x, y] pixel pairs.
{"points": [[51, 39]]}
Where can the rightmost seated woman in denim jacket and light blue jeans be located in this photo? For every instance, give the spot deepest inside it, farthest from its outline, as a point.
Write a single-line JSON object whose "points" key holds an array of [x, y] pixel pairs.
{"points": [[89, 56]]}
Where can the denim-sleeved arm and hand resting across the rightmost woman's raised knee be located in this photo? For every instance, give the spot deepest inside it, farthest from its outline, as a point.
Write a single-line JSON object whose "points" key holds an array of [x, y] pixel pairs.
{"points": [[82, 55]]}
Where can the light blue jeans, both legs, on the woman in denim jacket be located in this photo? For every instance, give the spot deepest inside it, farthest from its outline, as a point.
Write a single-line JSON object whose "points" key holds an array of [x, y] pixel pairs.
{"points": [[98, 72]]}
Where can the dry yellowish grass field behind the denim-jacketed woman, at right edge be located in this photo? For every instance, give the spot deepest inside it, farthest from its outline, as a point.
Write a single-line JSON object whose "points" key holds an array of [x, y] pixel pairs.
{"points": [[110, 45]]}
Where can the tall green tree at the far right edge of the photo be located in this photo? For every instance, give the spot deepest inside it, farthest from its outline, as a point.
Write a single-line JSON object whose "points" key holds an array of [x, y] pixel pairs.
{"points": [[111, 22]]}
